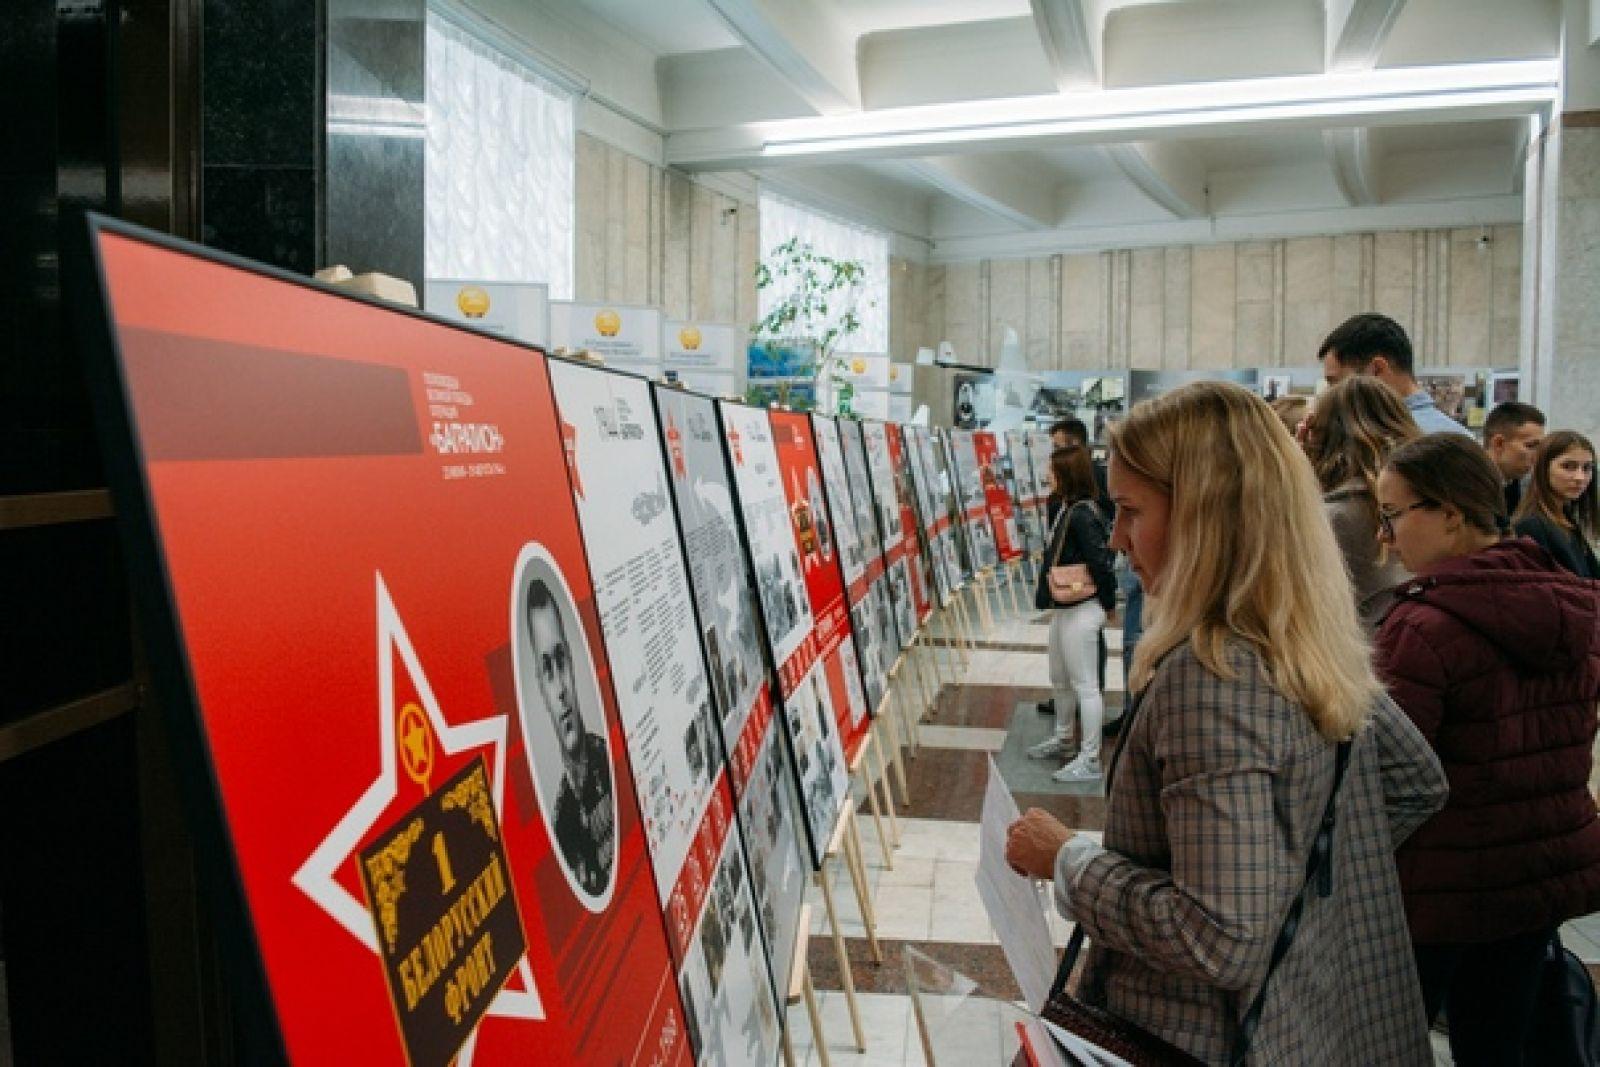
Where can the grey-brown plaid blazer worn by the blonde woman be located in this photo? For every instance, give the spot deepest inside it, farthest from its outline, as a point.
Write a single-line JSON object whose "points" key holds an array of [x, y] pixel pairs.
{"points": [[1214, 809]]}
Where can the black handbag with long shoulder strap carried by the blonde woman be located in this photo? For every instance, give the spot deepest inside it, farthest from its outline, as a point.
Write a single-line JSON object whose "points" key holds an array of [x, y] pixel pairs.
{"points": [[1143, 1049]]}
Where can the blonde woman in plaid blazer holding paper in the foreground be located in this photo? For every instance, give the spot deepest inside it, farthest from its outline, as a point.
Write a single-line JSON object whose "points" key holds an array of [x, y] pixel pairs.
{"points": [[1257, 719]]}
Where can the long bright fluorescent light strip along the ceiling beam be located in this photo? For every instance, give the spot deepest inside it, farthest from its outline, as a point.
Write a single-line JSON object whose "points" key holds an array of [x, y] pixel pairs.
{"points": [[1156, 108]]}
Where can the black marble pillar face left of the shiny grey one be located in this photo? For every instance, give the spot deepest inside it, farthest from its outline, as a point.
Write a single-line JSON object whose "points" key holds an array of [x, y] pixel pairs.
{"points": [[262, 130]]}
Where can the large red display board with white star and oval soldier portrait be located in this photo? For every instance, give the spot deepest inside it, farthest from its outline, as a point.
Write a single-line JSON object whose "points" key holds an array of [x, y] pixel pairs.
{"points": [[377, 641]]}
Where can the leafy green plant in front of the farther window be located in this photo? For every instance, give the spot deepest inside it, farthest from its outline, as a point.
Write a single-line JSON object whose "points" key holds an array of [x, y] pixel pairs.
{"points": [[817, 303]]}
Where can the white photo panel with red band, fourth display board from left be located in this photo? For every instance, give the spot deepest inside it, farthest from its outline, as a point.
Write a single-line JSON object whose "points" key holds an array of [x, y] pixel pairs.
{"points": [[807, 692]]}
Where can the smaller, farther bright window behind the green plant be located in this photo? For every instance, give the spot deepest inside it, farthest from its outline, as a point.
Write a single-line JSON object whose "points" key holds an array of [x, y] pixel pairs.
{"points": [[833, 238]]}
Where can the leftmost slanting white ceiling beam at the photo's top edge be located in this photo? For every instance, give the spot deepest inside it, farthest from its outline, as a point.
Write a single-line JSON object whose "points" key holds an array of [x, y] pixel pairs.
{"points": [[804, 44]]}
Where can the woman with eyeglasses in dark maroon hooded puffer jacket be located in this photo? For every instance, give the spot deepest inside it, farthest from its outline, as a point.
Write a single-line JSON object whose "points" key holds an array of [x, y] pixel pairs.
{"points": [[1495, 655]]}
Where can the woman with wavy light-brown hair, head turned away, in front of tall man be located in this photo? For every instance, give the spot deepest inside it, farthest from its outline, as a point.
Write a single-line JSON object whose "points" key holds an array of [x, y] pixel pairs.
{"points": [[1348, 438]]}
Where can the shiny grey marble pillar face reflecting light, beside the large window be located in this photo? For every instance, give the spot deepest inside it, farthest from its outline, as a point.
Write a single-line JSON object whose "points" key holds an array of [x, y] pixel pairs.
{"points": [[375, 137]]}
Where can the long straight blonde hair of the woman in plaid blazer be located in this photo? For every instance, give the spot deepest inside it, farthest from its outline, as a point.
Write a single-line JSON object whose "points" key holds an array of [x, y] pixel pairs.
{"points": [[1250, 554]]}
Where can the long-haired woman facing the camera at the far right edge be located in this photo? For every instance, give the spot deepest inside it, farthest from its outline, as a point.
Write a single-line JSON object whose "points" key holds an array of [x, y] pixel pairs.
{"points": [[1562, 508]]}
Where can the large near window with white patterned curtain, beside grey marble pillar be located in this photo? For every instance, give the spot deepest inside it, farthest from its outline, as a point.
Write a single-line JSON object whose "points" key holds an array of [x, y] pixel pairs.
{"points": [[498, 167]]}
